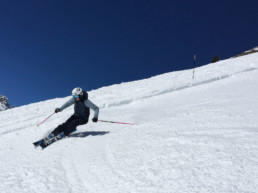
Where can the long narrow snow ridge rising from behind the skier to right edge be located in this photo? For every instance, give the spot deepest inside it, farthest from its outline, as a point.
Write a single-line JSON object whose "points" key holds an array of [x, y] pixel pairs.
{"points": [[173, 89]]}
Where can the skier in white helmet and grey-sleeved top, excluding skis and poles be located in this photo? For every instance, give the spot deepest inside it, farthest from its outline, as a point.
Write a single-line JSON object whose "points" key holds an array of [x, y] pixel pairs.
{"points": [[81, 112]]}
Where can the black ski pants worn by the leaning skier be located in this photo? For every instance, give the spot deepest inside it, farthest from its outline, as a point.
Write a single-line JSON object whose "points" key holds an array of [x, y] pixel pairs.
{"points": [[70, 125]]}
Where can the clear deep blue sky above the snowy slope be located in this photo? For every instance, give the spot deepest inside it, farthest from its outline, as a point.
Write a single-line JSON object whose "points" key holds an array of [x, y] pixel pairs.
{"points": [[49, 47]]}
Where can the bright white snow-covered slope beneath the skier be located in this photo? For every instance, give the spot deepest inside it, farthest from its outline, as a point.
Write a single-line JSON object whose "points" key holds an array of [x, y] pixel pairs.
{"points": [[191, 136]]}
